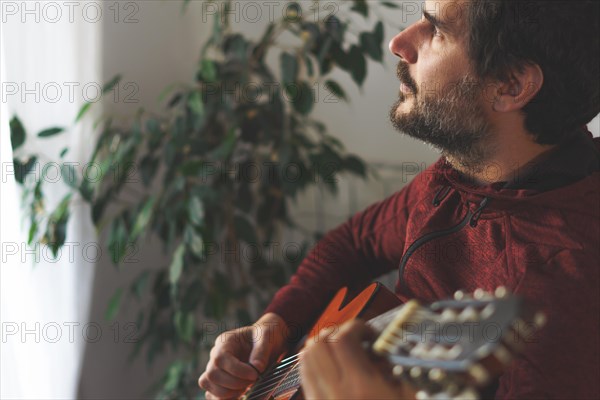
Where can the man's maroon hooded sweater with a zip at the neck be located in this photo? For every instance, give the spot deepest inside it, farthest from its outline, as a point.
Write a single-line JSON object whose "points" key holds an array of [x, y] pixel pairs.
{"points": [[538, 235]]}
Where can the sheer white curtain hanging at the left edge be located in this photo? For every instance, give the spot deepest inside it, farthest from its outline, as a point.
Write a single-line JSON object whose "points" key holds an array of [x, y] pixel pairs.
{"points": [[50, 65]]}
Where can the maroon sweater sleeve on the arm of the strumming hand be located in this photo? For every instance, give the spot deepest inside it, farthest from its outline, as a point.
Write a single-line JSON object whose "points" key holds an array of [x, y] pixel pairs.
{"points": [[367, 246]]}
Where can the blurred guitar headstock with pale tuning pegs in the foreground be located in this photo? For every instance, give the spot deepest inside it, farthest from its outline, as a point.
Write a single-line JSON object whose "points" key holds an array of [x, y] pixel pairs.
{"points": [[453, 347]]}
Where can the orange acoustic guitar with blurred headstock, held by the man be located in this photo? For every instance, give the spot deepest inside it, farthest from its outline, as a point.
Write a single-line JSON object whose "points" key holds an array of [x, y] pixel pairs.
{"points": [[450, 349]]}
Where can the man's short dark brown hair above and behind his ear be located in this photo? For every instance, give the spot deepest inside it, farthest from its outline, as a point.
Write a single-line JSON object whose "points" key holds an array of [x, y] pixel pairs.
{"points": [[562, 37]]}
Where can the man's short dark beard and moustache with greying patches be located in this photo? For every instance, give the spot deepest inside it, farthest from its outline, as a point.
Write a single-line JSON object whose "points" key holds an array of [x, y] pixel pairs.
{"points": [[452, 121]]}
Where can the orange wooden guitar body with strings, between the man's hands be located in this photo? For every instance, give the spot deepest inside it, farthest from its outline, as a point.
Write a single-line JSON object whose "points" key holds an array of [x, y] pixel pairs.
{"points": [[372, 301]]}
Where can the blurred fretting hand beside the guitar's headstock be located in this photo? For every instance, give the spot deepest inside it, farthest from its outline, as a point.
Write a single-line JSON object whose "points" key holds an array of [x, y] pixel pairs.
{"points": [[336, 366]]}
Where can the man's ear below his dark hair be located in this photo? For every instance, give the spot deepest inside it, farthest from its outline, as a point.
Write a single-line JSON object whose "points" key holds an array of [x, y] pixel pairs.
{"points": [[521, 87]]}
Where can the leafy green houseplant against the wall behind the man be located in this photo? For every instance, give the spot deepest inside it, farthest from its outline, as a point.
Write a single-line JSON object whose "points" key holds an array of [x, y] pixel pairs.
{"points": [[217, 170]]}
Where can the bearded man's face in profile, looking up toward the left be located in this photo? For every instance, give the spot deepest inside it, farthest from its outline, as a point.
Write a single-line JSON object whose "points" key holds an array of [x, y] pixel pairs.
{"points": [[440, 99]]}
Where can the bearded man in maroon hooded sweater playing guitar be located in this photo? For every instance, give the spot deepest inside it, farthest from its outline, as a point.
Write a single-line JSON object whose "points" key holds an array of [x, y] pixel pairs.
{"points": [[503, 89]]}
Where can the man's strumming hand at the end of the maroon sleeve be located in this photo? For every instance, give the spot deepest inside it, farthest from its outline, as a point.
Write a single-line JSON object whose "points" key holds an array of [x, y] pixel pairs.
{"points": [[239, 355]]}
